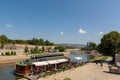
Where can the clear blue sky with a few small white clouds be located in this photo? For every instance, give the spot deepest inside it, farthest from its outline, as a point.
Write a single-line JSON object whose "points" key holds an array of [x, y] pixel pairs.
{"points": [[59, 21]]}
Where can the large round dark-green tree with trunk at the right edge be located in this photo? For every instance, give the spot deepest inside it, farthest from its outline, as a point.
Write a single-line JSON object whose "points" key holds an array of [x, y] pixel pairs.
{"points": [[110, 44]]}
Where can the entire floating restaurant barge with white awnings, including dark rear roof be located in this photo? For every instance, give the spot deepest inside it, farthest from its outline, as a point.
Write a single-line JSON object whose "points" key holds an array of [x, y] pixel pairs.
{"points": [[38, 64]]}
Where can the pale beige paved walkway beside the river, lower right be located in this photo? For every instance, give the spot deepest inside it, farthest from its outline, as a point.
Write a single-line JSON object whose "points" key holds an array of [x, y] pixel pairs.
{"points": [[90, 71]]}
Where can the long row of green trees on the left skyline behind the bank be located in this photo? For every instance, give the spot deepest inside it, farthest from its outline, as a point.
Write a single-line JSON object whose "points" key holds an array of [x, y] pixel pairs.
{"points": [[34, 41]]}
